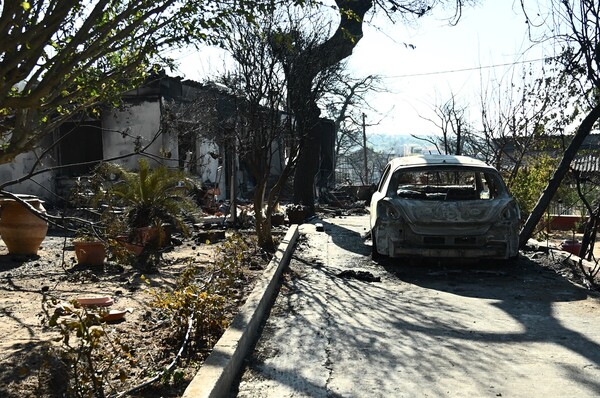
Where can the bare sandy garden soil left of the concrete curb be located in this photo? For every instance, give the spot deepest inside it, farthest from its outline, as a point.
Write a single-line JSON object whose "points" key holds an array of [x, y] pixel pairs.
{"points": [[30, 365]]}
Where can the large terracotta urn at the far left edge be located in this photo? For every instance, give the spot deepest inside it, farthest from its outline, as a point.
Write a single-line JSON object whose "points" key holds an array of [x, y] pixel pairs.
{"points": [[21, 230]]}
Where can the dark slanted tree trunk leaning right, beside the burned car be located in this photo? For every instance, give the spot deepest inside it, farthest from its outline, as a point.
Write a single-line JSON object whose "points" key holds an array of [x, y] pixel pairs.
{"points": [[538, 211]]}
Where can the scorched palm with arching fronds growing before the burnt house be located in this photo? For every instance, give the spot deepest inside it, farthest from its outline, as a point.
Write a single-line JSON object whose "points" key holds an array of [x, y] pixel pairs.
{"points": [[136, 211]]}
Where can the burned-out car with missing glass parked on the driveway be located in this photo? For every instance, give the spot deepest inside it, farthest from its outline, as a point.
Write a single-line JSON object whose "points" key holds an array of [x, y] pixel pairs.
{"points": [[443, 206]]}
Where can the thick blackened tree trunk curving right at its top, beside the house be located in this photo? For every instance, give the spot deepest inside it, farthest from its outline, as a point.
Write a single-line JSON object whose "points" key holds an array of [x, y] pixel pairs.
{"points": [[303, 65]]}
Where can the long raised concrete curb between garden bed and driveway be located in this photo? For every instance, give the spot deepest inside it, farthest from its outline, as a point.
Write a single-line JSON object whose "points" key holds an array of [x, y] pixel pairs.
{"points": [[220, 369]]}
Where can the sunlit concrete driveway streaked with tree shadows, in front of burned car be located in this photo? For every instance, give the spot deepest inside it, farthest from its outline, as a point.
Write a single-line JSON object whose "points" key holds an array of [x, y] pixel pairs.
{"points": [[436, 330]]}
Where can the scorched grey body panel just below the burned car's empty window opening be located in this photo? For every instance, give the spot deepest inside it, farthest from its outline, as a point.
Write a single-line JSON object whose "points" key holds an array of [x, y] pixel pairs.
{"points": [[422, 214]]}
